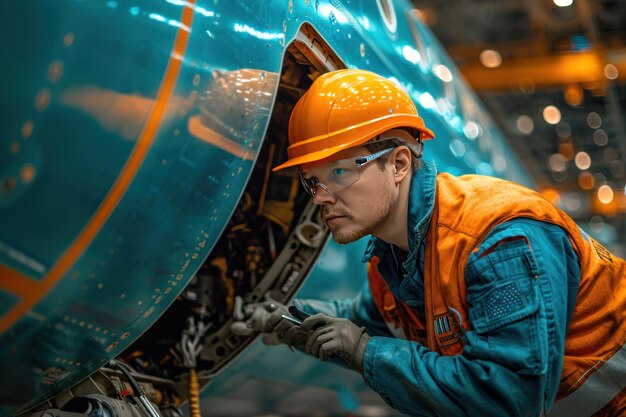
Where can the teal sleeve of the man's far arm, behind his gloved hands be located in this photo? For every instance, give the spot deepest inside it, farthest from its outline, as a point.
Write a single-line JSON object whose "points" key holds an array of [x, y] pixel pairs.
{"points": [[361, 310]]}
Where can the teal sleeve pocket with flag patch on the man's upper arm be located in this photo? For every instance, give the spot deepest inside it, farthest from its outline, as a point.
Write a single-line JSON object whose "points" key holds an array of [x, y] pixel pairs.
{"points": [[509, 325]]}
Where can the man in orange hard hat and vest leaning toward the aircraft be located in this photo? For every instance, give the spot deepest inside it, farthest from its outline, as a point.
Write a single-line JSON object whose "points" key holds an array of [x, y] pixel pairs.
{"points": [[482, 298]]}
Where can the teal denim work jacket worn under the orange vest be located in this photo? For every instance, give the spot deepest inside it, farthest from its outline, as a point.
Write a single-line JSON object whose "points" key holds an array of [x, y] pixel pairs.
{"points": [[512, 370]]}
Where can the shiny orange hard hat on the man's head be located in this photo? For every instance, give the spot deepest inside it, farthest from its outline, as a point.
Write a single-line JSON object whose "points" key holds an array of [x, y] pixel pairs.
{"points": [[347, 108]]}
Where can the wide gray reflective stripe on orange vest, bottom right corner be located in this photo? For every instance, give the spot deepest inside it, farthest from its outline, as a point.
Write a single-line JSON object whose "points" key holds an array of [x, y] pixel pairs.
{"points": [[596, 391]]}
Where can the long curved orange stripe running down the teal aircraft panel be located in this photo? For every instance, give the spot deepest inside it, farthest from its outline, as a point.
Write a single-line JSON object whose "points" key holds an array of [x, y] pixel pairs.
{"points": [[146, 138]]}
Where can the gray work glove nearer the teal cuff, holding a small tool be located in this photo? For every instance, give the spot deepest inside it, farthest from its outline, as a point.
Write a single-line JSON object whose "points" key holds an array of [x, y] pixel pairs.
{"points": [[332, 336]]}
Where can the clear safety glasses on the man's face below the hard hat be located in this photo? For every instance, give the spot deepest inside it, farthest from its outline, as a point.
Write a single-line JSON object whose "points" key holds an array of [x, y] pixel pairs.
{"points": [[337, 175]]}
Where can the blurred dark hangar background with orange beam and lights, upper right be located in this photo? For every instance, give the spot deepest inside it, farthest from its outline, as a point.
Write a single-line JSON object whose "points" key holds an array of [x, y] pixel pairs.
{"points": [[554, 78]]}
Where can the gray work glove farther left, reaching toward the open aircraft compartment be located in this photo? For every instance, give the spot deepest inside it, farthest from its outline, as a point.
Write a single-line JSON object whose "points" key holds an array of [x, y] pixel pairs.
{"points": [[266, 317]]}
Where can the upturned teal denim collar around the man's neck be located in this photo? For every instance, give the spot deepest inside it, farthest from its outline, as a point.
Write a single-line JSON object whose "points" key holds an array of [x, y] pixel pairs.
{"points": [[421, 203]]}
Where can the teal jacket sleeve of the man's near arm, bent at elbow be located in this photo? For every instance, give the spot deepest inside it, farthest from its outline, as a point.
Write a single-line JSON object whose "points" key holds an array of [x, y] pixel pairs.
{"points": [[521, 289]]}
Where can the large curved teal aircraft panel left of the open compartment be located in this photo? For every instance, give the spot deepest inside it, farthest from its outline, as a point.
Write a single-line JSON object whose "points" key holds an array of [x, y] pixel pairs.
{"points": [[90, 73]]}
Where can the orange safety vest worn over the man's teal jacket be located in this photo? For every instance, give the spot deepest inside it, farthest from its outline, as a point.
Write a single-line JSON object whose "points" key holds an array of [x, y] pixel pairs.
{"points": [[466, 209]]}
